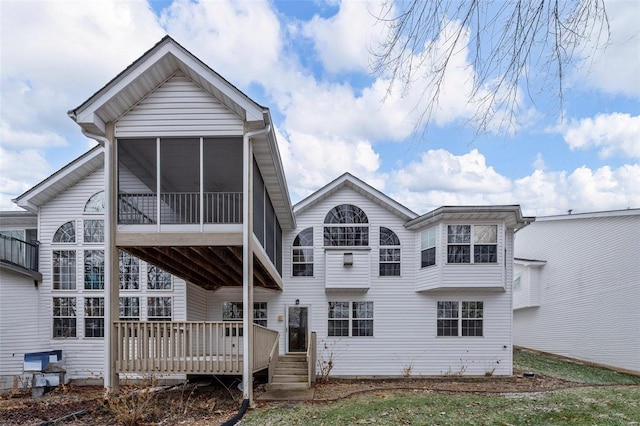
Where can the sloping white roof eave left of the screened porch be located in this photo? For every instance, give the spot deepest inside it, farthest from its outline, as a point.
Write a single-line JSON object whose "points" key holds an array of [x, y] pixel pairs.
{"points": [[64, 178]]}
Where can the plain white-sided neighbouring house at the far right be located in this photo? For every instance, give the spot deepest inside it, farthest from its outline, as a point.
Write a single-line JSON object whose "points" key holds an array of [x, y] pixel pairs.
{"points": [[577, 287]]}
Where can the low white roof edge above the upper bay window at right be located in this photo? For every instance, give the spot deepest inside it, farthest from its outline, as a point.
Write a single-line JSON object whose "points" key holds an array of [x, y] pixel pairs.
{"points": [[510, 214]]}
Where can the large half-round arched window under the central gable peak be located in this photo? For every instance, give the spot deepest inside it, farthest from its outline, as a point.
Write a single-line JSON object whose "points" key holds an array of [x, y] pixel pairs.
{"points": [[346, 225]]}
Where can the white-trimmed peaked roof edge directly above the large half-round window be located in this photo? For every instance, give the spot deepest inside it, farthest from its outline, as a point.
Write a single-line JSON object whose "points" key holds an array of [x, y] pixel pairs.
{"points": [[347, 180]]}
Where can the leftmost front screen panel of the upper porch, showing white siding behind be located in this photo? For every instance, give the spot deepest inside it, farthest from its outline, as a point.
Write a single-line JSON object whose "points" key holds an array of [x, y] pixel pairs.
{"points": [[137, 181]]}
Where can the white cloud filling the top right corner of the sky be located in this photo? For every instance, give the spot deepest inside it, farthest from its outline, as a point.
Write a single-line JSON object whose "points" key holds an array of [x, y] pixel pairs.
{"points": [[615, 70]]}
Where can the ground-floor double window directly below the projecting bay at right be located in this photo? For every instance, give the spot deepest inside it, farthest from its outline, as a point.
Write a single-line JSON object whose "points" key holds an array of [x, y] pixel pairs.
{"points": [[460, 318]]}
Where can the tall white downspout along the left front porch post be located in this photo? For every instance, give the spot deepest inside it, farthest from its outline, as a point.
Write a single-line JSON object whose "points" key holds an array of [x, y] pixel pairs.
{"points": [[108, 179]]}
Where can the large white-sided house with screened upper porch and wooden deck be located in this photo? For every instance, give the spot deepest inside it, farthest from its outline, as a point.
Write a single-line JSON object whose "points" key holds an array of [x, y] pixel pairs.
{"points": [[188, 179]]}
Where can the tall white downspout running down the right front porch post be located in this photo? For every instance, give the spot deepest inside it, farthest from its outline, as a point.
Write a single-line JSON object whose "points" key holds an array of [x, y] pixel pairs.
{"points": [[247, 263]]}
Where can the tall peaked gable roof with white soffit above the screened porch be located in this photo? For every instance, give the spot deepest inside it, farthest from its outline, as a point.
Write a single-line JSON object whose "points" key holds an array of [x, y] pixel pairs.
{"points": [[150, 71]]}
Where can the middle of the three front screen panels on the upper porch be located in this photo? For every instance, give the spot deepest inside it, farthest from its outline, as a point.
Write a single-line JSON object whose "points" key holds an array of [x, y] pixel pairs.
{"points": [[180, 180]]}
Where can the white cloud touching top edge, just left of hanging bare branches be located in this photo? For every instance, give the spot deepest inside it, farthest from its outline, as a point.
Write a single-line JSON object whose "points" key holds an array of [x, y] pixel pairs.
{"points": [[344, 41]]}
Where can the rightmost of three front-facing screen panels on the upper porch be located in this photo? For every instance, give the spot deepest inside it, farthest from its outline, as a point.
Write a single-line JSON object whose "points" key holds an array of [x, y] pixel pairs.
{"points": [[222, 180]]}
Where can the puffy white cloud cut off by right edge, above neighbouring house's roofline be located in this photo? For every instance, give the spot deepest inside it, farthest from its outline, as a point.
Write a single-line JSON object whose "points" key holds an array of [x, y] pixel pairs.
{"points": [[615, 133]]}
